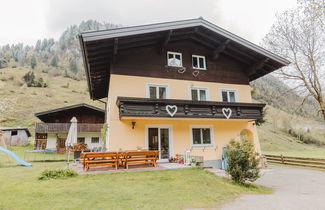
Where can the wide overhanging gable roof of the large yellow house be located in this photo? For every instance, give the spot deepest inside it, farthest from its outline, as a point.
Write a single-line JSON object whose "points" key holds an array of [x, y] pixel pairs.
{"points": [[98, 48]]}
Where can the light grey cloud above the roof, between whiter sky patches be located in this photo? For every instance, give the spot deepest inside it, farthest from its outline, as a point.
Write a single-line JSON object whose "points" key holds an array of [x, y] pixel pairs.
{"points": [[63, 13]]}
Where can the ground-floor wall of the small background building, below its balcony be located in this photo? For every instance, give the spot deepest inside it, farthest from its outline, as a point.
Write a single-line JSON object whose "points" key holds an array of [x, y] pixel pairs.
{"points": [[51, 139]]}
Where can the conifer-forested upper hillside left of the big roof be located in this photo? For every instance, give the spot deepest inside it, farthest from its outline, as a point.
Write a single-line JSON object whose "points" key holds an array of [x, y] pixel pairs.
{"points": [[55, 57]]}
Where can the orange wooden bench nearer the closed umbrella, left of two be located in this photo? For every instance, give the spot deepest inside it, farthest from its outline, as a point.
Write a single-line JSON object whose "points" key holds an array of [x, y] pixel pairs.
{"points": [[95, 159]]}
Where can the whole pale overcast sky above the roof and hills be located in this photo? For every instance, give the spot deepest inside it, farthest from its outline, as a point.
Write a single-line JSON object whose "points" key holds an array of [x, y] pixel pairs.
{"points": [[27, 21]]}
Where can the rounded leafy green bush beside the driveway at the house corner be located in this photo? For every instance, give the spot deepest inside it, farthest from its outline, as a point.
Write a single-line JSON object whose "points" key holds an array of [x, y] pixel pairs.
{"points": [[242, 161]]}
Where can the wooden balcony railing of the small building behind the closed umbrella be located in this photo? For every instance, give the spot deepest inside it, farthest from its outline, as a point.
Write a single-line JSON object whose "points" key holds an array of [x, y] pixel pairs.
{"points": [[64, 127]]}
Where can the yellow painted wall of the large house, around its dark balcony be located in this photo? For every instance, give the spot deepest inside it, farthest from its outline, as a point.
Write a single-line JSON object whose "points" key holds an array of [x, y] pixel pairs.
{"points": [[122, 136]]}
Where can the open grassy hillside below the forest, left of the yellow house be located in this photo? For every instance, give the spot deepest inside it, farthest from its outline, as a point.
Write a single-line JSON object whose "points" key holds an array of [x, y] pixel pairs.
{"points": [[19, 103]]}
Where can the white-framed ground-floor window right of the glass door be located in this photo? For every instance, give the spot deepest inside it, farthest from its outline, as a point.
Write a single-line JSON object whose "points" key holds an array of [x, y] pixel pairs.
{"points": [[201, 136]]}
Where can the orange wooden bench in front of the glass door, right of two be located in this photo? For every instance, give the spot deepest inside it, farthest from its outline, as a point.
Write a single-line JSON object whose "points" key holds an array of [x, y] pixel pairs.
{"points": [[139, 158]]}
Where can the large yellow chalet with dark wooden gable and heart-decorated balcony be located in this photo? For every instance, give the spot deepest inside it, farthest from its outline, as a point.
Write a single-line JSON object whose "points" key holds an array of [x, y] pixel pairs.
{"points": [[177, 87]]}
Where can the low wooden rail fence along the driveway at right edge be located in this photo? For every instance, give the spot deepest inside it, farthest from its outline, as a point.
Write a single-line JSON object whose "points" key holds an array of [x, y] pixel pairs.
{"points": [[296, 161]]}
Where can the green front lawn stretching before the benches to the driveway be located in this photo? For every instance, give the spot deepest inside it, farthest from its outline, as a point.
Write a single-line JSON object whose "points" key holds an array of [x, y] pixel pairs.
{"points": [[163, 189]]}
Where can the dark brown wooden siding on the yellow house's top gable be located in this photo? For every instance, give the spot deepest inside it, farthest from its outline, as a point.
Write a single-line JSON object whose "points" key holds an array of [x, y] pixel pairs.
{"points": [[146, 61]]}
